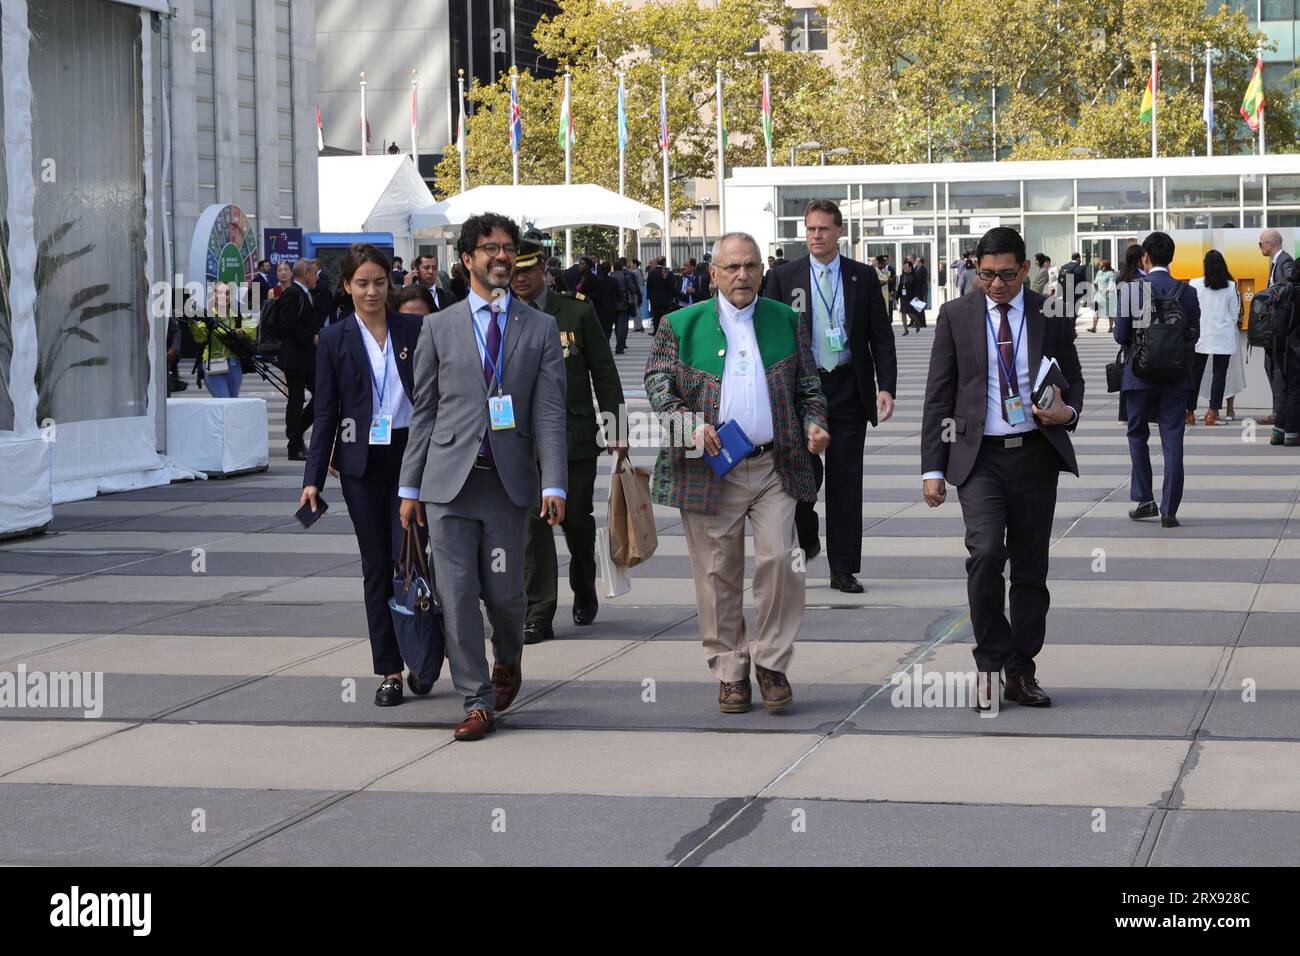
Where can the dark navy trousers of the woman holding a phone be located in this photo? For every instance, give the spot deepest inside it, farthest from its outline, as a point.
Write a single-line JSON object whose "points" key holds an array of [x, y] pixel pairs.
{"points": [[372, 504]]}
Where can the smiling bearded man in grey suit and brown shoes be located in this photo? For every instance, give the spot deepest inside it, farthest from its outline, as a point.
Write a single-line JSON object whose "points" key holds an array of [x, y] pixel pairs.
{"points": [[489, 405]]}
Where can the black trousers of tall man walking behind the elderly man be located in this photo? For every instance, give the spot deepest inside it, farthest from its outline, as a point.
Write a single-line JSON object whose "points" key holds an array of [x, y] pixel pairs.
{"points": [[847, 421]]}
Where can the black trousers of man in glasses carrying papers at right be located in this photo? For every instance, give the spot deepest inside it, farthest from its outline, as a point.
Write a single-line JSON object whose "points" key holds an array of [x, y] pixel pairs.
{"points": [[1008, 504]]}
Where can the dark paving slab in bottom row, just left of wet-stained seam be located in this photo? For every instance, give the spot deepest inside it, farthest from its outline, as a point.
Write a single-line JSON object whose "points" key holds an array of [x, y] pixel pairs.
{"points": [[457, 830]]}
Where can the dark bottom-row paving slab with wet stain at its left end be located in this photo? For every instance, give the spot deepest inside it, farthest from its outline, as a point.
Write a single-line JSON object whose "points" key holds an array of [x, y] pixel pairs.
{"points": [[852, 834]]}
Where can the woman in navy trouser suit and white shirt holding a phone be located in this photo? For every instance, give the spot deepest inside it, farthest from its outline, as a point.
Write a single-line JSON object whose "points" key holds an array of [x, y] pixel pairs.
{"points": [[363, 410]]}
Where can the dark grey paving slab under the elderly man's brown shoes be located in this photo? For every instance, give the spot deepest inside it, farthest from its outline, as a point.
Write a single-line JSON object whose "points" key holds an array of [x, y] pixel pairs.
{"points": [[599, 704]]}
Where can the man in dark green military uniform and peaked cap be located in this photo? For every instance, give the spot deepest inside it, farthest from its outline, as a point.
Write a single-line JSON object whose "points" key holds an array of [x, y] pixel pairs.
{"points": [[590, 365]]}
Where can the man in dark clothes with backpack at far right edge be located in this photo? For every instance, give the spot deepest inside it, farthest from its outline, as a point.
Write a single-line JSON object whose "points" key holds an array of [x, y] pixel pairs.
{"points": [[1276, 330]]}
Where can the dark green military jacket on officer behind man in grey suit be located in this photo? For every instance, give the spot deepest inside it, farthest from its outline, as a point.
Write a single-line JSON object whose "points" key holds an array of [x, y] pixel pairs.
{"points": [[588, 366]]}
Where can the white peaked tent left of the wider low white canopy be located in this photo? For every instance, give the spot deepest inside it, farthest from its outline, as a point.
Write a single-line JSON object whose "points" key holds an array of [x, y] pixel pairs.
{"points": [[372, 194]]}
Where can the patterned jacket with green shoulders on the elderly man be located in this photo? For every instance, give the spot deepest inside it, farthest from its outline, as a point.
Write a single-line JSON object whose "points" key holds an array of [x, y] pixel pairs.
{"points": [[684, 379]]}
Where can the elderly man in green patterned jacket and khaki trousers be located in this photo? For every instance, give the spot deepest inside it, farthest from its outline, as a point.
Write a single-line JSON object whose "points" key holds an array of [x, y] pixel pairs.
{"points": [[740, 358]]}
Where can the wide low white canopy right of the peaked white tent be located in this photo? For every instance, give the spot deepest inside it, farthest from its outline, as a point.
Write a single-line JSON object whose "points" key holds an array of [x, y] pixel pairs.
{"points": [[540, 207]]}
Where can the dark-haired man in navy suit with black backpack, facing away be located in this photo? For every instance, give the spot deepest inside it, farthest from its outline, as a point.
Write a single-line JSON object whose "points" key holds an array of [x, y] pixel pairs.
{"points": [[1159, 323]]}
